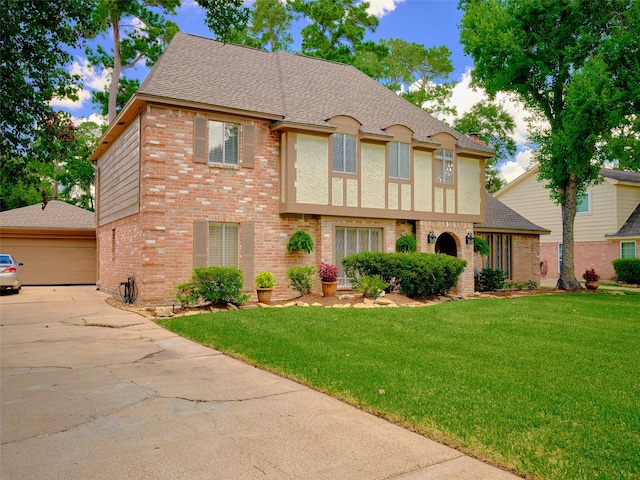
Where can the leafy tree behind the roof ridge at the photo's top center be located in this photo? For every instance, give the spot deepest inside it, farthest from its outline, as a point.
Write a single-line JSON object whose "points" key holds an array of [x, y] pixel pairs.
{"points": [[337, 28]]}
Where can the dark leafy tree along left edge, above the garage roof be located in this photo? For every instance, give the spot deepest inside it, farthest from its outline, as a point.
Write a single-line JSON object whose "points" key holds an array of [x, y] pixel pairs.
{"points": [[35, 41]]}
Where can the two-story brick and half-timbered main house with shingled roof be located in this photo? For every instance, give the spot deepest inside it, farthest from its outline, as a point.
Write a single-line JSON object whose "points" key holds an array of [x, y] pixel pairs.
{"points": [[225, 151]]}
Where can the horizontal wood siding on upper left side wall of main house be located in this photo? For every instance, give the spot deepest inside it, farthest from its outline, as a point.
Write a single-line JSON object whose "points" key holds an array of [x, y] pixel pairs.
{"points": [[120, 177]]}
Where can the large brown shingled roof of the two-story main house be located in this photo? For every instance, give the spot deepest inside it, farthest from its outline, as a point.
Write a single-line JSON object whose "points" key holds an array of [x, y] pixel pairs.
{"points": [[295, 88]]}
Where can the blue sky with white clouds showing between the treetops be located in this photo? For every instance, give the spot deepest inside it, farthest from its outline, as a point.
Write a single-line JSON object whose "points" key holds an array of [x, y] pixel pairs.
{"points": [[429, 22]]}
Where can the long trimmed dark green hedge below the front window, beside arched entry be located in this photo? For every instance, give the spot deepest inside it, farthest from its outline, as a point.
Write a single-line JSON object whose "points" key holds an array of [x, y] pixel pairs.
{"points": [[416, 275]]}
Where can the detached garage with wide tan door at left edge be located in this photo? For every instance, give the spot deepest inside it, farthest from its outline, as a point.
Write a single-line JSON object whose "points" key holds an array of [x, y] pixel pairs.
{"points": [[57, 244]]}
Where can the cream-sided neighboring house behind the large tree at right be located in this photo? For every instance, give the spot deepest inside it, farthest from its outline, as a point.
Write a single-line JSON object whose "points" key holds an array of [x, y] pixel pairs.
{"points": [[606, 223]]}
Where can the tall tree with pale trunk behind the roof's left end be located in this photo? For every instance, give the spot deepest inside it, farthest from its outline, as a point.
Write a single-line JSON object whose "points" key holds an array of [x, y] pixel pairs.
{"points": [[139, 30]]}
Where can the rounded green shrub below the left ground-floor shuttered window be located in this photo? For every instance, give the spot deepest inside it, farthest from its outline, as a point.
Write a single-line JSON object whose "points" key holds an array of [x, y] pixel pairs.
{"points": [[214, 285]]}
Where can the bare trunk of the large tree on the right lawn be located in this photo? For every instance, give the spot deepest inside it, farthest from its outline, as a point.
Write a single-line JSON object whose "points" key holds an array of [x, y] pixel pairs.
{"points": [[567, 280]]}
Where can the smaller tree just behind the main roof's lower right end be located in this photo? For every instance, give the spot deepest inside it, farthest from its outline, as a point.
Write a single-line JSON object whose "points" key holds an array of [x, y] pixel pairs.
{"points": [[495, 127]]}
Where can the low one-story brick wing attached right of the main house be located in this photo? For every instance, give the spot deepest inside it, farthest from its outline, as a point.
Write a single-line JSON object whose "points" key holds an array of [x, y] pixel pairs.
{"points": [[514, 242]]}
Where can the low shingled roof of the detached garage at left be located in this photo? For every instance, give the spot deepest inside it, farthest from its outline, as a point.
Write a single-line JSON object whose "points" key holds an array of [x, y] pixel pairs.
{"points": [[56, 214]]}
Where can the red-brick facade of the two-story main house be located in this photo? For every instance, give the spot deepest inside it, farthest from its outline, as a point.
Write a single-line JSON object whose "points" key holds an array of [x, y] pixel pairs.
{"points": [[156, 245]]}
